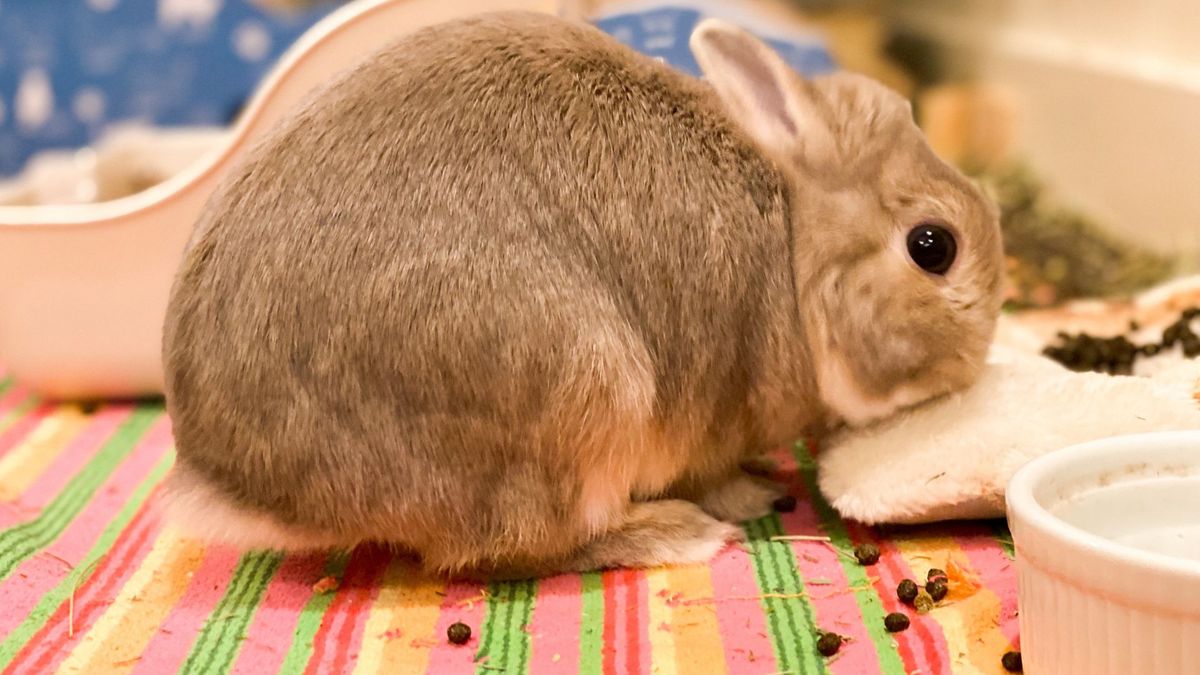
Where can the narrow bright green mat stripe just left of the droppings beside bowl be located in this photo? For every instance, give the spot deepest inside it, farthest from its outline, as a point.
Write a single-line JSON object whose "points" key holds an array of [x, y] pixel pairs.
{"points": [[869, 604]]}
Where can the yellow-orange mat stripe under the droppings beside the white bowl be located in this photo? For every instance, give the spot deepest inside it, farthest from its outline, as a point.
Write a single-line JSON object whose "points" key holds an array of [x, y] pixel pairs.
{"points": [[974, 641]]}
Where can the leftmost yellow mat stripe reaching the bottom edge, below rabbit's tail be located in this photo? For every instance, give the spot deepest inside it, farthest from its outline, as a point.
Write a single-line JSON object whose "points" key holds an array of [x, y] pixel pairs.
{"points": [[123, 632]]}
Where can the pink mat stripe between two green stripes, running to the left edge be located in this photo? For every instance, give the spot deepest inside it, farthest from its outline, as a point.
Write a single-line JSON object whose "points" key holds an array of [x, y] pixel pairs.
{"points": [[35, 577]]}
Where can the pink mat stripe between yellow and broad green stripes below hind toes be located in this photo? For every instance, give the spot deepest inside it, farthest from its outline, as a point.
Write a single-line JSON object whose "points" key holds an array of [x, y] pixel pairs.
{"points": [[742, 624]]}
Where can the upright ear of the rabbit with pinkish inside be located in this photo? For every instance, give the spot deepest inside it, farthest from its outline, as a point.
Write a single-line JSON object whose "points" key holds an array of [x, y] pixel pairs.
{"points": [[778, 109]]}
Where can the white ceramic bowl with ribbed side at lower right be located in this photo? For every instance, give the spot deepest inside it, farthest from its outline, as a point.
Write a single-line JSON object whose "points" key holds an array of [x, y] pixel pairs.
{"points": [[1108, 557]]}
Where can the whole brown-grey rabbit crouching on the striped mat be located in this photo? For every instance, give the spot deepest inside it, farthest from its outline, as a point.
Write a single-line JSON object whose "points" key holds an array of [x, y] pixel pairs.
{"points": [[518, 301]]}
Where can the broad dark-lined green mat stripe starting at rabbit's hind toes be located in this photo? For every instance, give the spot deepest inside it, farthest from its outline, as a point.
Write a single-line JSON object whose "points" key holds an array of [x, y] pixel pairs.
{"points": [[790, 622]]}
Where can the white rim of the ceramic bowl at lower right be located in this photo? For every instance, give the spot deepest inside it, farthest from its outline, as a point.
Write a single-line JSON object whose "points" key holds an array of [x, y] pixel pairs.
{"points": [[1025, 509]]}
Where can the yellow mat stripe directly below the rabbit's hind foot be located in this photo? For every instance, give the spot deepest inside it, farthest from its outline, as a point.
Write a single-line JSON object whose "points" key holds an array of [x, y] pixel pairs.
{"points": [[698, 636]]}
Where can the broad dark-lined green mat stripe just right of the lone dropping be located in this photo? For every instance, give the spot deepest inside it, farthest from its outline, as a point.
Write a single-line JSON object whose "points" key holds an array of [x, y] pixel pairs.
{"points": [[505, 638]]}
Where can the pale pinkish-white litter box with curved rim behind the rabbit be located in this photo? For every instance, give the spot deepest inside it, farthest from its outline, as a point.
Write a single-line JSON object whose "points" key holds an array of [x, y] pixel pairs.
{"points": [[85, 288]]}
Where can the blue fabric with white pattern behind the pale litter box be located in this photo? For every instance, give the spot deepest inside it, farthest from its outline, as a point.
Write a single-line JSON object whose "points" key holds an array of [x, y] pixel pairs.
{"points": [[71, 68]]}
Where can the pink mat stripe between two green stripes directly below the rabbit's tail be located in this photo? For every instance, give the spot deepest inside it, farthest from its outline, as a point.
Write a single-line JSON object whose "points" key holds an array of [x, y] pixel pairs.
{"points": [[273, 631]]}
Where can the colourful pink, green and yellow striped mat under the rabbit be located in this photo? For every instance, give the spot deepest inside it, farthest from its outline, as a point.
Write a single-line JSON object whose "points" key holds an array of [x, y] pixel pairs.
{"points": [[91, 582]]}
